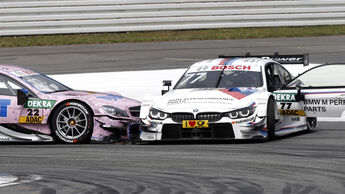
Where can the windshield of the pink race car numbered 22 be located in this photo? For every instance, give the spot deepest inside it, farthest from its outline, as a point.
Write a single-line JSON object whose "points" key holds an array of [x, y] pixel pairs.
{"points": [[44, 83]]}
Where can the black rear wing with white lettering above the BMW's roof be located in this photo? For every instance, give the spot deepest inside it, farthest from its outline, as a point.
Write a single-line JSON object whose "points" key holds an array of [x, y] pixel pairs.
{"points": [[282, 59]]}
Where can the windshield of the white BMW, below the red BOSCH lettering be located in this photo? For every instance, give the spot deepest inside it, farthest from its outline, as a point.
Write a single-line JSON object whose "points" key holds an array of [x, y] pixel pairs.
{"points": [[219, 79]]}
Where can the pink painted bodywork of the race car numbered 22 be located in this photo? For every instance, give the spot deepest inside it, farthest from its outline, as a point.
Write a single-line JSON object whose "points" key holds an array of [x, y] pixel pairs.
{"points": [[93, 99]]}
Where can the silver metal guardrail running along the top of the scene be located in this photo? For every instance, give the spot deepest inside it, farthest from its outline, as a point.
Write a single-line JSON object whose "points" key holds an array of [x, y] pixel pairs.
{"points": [[31, 17]]}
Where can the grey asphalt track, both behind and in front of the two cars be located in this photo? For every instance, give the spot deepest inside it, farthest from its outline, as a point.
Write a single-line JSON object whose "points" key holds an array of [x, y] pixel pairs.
{"points": [[299, 163]]}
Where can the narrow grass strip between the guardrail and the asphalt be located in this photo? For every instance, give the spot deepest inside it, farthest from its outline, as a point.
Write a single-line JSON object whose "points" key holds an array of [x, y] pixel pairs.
{"points": [[181, 35]]}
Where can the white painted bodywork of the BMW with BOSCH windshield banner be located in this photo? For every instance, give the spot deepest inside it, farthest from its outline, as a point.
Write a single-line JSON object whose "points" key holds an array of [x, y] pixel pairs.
{"points": [[220, 100]]}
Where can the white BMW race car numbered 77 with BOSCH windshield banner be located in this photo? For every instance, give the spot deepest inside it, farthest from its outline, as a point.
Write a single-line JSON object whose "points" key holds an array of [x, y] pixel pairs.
{"points": [[228, 98]]}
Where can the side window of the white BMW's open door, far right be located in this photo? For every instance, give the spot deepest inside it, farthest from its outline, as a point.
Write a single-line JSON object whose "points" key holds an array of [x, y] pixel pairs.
{"points": [[321, 76]]}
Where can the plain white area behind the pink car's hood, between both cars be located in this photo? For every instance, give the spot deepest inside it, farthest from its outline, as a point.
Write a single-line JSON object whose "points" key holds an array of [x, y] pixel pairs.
{"points": [[133, 84]]}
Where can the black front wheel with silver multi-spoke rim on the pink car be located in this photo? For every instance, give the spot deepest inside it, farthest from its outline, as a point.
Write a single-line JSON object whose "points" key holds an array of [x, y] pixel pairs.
{"points": [[72, 122]]}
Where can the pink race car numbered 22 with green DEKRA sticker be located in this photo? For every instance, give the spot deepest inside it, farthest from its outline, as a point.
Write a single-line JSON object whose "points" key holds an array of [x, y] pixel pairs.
{"points": [[34, 107]]}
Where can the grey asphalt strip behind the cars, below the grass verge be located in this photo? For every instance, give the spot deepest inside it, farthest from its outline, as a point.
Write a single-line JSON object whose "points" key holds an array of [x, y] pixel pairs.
{"points": [[163, 55]]}
